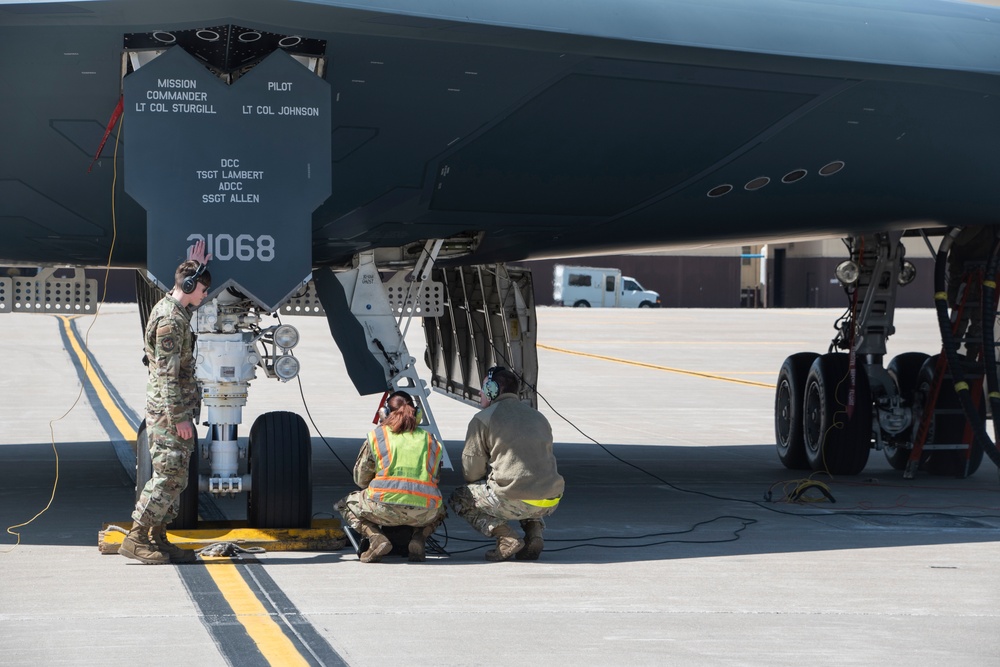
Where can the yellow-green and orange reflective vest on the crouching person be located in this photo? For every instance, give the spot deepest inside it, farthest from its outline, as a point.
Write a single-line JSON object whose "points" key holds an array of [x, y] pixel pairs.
{"points": [[407, 468]]}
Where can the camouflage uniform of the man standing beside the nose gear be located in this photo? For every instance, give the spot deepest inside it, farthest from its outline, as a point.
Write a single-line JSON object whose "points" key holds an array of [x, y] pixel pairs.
{"points": [[172, 398]]}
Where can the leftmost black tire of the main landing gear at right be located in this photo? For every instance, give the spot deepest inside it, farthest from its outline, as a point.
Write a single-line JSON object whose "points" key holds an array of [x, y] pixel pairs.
{"points": [[788, 416]]}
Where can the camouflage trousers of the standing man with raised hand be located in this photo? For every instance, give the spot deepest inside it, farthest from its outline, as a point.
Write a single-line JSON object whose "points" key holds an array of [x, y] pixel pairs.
{"points": [[171, 456]]}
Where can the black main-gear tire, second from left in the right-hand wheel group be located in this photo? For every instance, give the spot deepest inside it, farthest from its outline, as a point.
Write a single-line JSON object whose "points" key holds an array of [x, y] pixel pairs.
{"points": [[834, 441]]}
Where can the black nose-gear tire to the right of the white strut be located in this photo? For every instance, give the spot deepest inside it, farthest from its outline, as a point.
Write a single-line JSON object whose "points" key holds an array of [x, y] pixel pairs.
{"points": [[280, 469]]}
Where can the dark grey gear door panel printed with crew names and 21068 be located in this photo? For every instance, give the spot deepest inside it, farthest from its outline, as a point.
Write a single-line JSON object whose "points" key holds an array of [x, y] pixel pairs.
{"points": [[242, 167]]}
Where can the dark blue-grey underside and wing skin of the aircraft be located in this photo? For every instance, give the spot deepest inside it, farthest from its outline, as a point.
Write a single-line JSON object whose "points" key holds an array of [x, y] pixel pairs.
{"points": [[556, 128]]}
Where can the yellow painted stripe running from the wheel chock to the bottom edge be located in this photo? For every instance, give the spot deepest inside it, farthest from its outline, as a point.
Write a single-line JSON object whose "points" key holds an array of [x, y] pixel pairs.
{"points": [[265, 633]]}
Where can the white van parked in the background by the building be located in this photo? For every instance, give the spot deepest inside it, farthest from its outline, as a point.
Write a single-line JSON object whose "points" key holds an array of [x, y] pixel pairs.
{"points": [[590, 287]]}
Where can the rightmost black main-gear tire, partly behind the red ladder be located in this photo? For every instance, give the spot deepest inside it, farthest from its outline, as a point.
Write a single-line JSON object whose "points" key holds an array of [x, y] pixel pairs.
{"points": [[947, 428]]}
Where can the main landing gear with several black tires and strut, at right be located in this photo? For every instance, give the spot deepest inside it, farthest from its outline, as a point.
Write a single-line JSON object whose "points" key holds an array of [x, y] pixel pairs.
{"points": [[924, 412]]}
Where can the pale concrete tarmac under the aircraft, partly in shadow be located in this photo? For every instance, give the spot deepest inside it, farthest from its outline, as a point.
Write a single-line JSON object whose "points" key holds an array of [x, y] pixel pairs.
{"points": [[664, 550]]}
